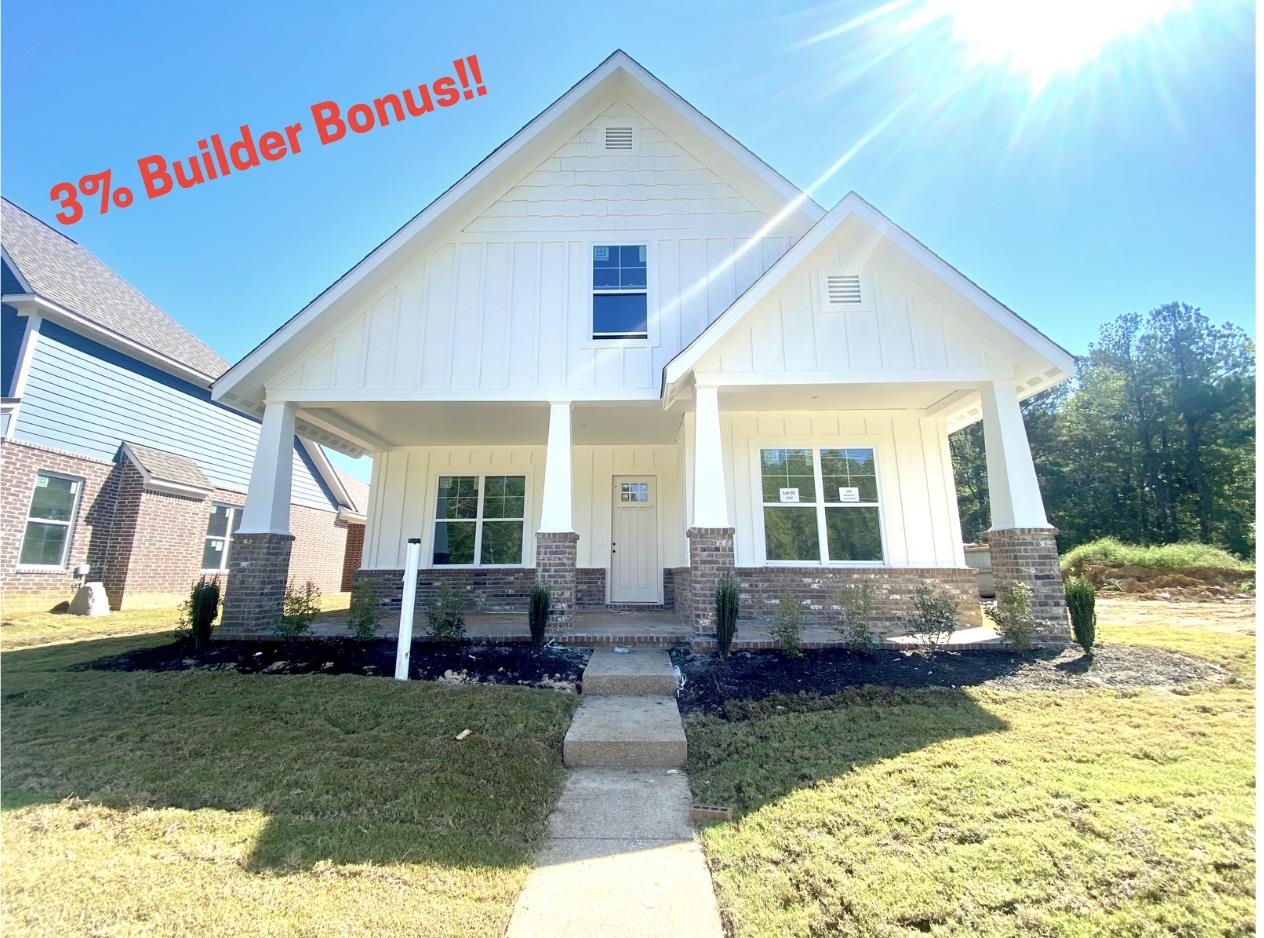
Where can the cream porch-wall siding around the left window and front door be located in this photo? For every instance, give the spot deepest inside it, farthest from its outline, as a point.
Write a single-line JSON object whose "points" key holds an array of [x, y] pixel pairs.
{"points": [[406, 484]]}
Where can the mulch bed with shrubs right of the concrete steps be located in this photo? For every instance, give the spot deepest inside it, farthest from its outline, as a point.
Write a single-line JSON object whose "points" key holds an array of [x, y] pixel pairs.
{"points": [[754, 676]]}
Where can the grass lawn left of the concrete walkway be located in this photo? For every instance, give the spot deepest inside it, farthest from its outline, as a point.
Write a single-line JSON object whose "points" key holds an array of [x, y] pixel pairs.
{"points": [[205, 803]]}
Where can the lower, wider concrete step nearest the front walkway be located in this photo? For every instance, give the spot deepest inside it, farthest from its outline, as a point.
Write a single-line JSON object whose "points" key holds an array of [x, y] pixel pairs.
{"points": [[621, 730]]}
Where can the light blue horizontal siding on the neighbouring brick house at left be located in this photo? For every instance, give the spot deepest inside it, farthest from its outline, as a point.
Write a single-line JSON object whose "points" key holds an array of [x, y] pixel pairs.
{"points": [[85, 399]]}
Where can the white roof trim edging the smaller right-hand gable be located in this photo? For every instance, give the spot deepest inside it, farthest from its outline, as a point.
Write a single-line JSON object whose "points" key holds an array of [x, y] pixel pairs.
{"points": [[853, 204]]}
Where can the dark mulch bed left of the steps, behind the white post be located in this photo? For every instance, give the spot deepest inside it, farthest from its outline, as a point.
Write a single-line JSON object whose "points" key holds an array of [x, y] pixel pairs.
{"points": [[456, 663]]}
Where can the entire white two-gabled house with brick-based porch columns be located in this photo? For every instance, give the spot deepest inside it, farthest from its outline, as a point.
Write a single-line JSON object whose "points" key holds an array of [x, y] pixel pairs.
{"points": [[624, 356]]}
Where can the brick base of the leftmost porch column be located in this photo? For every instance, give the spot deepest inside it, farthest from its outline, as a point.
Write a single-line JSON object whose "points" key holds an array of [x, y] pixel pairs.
{"points": [[258, 572]]}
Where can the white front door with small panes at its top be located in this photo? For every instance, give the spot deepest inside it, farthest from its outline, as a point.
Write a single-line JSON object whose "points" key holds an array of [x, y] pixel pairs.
{"points": [[635, 572]]}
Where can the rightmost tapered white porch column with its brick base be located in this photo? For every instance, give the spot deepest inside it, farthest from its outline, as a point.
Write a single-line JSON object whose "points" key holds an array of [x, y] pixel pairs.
{"points": [[1022, 540]]}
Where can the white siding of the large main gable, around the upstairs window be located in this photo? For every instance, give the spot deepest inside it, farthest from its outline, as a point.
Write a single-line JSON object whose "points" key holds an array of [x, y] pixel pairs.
{"points": [[505, 303]]}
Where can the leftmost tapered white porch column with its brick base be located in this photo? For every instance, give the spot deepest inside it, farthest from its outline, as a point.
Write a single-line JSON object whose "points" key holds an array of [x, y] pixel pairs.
{"points": [[260, 554]]}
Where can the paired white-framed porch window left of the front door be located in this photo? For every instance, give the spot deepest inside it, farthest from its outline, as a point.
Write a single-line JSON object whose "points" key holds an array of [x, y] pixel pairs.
{"points": [[480, 520]]}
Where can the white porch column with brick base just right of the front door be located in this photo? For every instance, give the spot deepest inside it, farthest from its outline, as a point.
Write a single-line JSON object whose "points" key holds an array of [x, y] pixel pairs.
{"points": [[711, 535]]}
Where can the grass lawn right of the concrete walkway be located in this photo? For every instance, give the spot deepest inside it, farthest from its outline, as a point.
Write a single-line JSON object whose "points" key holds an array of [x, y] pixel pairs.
{"points": [[987, 813]]}
